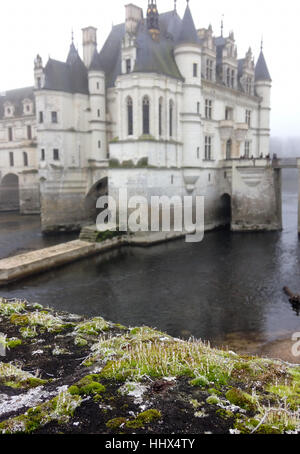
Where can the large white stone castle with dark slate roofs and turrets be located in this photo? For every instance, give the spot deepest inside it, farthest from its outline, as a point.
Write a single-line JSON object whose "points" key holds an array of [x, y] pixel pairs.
{"points": [[162, 109]]}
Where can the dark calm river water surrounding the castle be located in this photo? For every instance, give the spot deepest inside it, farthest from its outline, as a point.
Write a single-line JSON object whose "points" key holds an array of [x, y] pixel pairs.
{"points": [[226, 290]]}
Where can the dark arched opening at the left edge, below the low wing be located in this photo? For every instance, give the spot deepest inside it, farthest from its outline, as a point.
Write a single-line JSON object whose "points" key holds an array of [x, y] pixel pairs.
{"points": [[10, 193]]}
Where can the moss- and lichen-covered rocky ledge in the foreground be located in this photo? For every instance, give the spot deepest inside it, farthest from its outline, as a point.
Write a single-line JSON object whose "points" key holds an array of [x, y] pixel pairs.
{"points": [[62, 373]]}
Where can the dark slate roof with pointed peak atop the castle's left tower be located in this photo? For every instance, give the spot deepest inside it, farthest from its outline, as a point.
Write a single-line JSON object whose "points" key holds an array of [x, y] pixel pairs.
{"points": [[71, 77]]}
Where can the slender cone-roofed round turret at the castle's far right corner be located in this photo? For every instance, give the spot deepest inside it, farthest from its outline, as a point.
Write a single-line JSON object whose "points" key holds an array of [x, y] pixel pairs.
{"points": [[263, 85]]}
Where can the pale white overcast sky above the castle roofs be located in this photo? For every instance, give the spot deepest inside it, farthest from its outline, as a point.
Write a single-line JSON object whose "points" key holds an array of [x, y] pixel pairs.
{"points": [[30, 27]]}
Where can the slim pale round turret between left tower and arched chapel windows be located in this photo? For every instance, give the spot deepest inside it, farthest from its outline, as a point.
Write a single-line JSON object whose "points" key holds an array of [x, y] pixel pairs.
{"points": [[97, 91]]}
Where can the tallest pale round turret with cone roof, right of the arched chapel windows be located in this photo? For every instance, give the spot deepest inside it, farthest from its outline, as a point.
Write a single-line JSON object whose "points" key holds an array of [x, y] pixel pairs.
{"points": [[188, 59]]}
